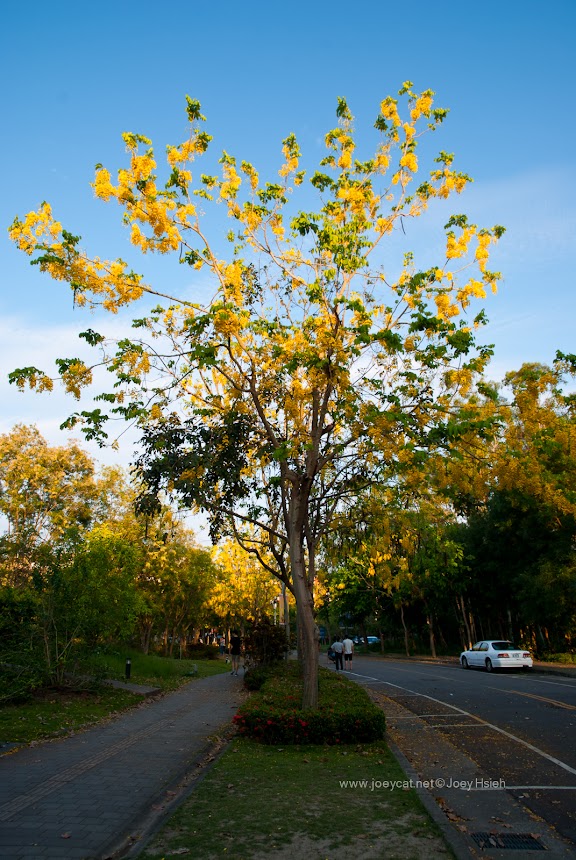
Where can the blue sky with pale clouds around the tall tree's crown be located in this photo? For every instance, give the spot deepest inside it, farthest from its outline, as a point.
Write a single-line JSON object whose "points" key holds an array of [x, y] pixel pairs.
{"points": [[76, 75]]}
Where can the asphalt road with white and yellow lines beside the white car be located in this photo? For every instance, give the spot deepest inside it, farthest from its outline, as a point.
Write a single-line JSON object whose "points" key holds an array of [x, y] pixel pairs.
{"points": [[519, 727]]}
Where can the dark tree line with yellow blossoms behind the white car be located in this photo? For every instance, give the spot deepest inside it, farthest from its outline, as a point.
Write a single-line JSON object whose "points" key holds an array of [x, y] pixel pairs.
{"points": [[473, 546]]}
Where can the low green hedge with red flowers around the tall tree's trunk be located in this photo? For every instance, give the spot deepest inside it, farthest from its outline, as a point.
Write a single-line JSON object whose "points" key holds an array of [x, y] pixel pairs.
{"points": [[345, 713]]}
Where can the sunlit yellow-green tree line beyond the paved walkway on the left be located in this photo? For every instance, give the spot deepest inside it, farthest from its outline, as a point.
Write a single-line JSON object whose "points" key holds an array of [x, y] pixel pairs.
{"points": [[79, 570]]}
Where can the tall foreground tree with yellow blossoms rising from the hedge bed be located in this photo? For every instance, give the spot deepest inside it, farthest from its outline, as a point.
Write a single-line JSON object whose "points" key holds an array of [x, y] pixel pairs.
{"points": [[315, 364]]}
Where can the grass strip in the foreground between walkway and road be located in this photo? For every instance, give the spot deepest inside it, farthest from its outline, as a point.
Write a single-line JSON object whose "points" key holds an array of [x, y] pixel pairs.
{"points": [[261, 802]]}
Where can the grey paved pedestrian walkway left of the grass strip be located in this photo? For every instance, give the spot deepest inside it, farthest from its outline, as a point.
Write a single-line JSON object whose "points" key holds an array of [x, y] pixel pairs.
{"points": [[88, 796]]}
